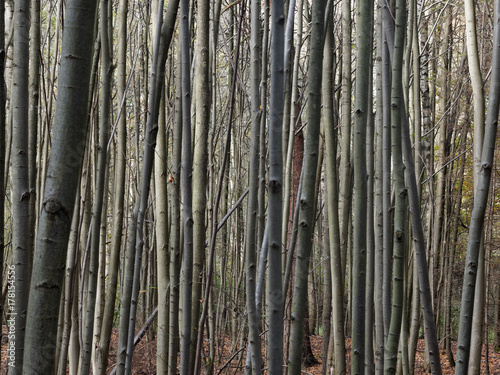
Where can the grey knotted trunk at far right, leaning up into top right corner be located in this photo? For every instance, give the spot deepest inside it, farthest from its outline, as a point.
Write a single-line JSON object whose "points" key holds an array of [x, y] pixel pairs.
{"points": [[480, 201]]}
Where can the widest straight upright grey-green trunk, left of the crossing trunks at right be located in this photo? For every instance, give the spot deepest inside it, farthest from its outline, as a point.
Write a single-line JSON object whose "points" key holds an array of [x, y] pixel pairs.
{"points": [[364, 41]]}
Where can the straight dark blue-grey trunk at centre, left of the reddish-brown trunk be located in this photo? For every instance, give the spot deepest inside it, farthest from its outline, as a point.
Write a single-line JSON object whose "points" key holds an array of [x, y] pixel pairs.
{"points": [[274, 288]]}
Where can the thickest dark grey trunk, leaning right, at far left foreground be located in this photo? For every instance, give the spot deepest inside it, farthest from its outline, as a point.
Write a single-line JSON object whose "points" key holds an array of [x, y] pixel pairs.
{"points": [[68, 143]]}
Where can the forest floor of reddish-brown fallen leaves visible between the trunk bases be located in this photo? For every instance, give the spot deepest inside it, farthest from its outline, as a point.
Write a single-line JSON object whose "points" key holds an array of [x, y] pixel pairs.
{"points": [[231, 362]]}
